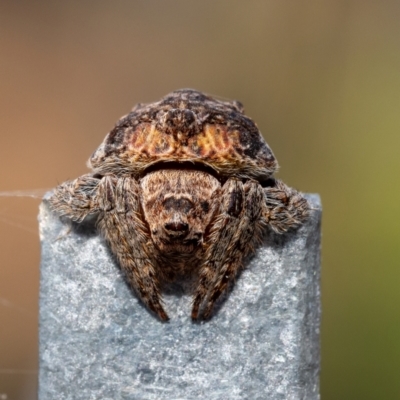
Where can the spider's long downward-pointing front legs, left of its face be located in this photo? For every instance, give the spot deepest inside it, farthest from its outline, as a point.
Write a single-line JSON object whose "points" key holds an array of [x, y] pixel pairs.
{"points": [[123, 227]]}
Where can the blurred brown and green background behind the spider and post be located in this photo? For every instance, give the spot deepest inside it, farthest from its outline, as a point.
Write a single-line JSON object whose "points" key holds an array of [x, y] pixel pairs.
{"points": [[322, 80]]}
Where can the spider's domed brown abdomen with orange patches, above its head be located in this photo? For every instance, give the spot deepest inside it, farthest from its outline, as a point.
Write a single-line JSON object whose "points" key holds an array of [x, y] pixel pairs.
{"points": [[186, 126]]}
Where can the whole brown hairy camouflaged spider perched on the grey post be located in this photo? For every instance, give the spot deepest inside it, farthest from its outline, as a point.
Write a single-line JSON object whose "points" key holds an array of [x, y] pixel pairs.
{"points": [[182, 186]]}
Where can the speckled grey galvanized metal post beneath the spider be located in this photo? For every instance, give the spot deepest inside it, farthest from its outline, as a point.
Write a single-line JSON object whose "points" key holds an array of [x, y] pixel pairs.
{"points": [[97, 341]]}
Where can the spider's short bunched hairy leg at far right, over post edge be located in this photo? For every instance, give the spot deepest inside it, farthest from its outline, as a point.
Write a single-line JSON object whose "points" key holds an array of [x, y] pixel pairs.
{"points": [[286, 208]]}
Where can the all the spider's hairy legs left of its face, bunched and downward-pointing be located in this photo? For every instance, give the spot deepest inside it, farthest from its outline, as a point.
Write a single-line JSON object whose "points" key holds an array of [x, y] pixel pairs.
{"points": [[116, 201]]}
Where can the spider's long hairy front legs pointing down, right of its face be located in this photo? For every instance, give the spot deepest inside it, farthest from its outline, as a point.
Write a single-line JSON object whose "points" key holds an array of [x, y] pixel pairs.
{"points": [[232, 235]]}
